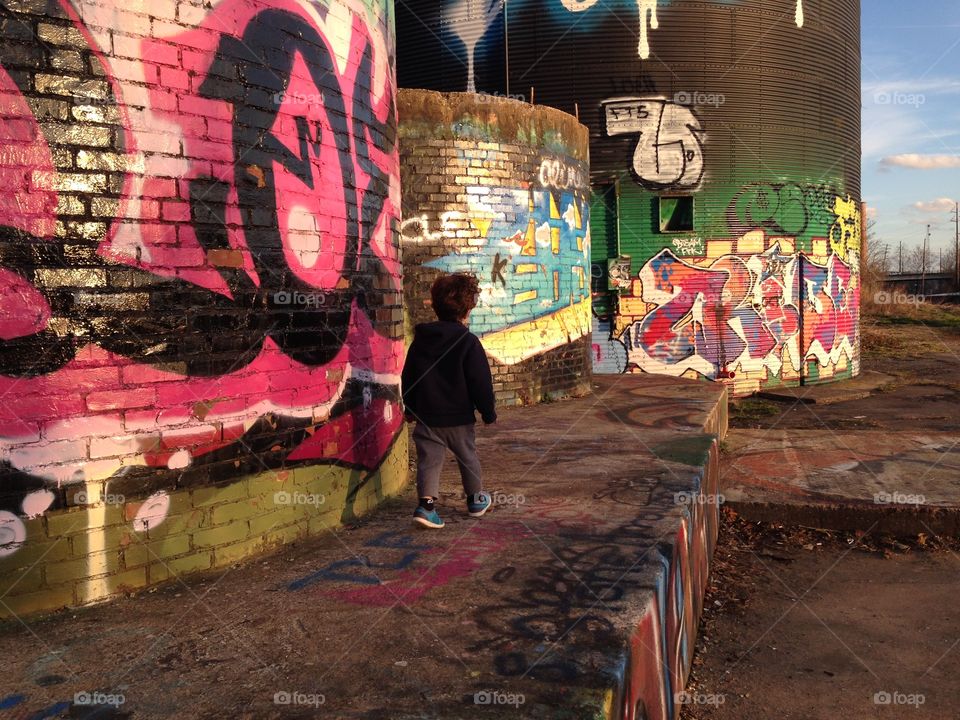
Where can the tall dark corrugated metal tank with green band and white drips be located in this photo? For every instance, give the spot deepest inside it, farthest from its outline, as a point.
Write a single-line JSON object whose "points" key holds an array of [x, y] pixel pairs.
{"points": [[725, 163]]}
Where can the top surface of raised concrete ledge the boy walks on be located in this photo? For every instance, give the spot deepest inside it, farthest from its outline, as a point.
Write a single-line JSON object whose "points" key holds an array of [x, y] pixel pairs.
{"points": [[523, 613]]}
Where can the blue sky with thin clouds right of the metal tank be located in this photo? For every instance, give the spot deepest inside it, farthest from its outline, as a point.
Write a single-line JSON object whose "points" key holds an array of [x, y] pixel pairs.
{"points": [[911, 119]]}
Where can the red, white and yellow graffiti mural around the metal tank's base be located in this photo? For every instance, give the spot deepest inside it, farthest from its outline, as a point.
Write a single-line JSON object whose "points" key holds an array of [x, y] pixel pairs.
{"points": [[746, 310]]}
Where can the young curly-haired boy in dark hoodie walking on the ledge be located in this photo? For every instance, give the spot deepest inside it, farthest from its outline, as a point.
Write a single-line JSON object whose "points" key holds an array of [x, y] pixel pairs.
{"points": [[445, 377]]}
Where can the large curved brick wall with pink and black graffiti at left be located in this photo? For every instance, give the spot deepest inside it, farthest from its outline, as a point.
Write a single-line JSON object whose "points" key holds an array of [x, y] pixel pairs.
{"points": [[201, 318]]}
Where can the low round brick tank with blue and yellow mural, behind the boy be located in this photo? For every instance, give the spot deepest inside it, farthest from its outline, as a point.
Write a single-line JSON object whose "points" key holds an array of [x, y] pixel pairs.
{"points": [[500, 189]]}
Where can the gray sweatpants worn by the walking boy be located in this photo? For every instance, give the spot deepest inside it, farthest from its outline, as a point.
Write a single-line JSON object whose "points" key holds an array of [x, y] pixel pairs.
{"points": [[432, 444]]}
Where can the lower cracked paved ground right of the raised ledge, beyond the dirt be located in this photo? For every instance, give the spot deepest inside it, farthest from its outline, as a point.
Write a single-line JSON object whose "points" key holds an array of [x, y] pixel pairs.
{"points": [[865, 451]]}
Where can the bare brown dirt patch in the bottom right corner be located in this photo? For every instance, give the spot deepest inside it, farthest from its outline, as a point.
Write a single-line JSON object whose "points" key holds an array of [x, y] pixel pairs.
{"points": [[806, 623]]}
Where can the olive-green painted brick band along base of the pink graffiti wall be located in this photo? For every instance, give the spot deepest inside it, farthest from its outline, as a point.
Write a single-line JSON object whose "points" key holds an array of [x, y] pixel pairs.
{"points": [[225, 525]]}
